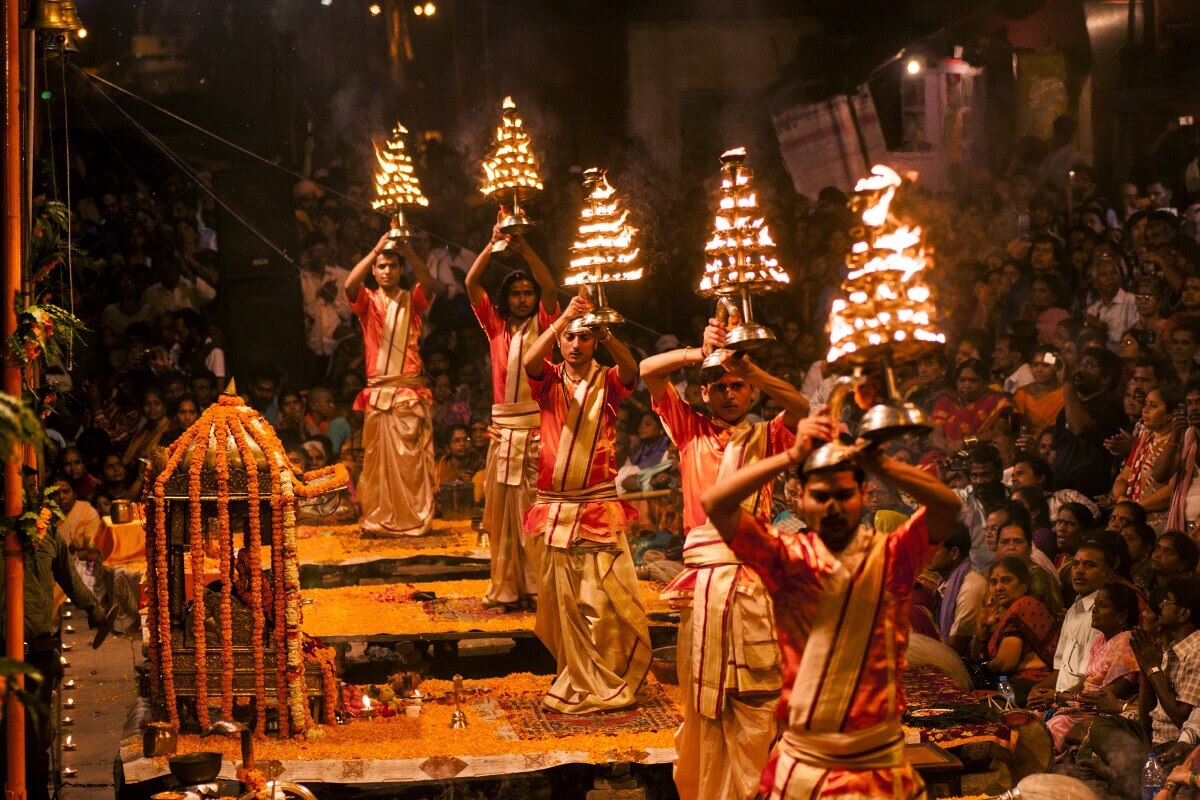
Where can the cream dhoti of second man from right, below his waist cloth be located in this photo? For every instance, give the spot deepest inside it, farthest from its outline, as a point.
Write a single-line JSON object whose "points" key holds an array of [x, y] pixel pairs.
{"points": [[722, 759]]}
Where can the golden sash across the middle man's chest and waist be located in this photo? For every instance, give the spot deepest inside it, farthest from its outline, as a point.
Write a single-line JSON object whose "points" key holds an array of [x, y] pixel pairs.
{"points": [[573, 464]]}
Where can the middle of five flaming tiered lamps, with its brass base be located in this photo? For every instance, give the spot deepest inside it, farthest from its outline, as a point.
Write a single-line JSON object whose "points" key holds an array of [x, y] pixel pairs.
{"points": [[604, 250]]}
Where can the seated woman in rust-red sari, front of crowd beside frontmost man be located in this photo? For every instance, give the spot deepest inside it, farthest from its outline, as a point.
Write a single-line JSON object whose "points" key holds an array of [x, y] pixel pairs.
{"points": [[1017, 635]]}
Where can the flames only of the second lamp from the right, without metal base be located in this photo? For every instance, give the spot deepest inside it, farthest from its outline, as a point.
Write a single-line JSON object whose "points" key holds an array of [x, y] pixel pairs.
{"points": [[741, 250]]}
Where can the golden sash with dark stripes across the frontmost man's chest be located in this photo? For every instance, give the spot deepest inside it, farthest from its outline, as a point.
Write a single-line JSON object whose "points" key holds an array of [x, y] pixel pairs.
{"points": [[836, 653]]}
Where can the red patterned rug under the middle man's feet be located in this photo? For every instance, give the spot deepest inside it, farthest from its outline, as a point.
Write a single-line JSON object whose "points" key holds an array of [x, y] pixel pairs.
{"points": [[531, 720]]}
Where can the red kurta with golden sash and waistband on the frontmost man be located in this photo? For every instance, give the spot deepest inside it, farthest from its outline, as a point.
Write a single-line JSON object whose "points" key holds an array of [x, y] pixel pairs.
{"points": [[843, 624]]}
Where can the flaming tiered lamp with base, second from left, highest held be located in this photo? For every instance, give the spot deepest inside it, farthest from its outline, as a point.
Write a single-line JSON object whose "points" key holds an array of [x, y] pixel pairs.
{"points": [[511, 171]]}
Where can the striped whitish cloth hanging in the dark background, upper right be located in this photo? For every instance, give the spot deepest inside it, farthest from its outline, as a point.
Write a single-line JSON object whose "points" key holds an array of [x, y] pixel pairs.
{"points": [[820, 146]]}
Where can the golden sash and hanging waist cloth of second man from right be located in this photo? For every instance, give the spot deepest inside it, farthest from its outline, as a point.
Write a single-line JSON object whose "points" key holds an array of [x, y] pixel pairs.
{"points": [[733, 643]]}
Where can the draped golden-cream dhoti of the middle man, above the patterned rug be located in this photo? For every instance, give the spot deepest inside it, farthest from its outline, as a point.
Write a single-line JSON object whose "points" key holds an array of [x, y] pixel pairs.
{"points": [[591, 618]]}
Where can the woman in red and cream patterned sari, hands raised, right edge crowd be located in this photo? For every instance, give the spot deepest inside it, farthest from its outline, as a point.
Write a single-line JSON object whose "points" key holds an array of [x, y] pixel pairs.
{"points": [[1136, 483]]}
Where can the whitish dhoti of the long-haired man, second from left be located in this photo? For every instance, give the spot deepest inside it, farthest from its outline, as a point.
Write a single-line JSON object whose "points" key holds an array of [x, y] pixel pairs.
{"points": [[509, 489]]}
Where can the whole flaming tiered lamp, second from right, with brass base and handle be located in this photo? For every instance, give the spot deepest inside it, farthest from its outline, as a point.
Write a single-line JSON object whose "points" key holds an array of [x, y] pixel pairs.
{"points": [[740, 262]]}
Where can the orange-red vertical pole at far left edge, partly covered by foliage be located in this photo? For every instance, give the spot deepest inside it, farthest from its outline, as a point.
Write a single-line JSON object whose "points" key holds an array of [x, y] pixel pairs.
{"points": [[10, 266]]}
